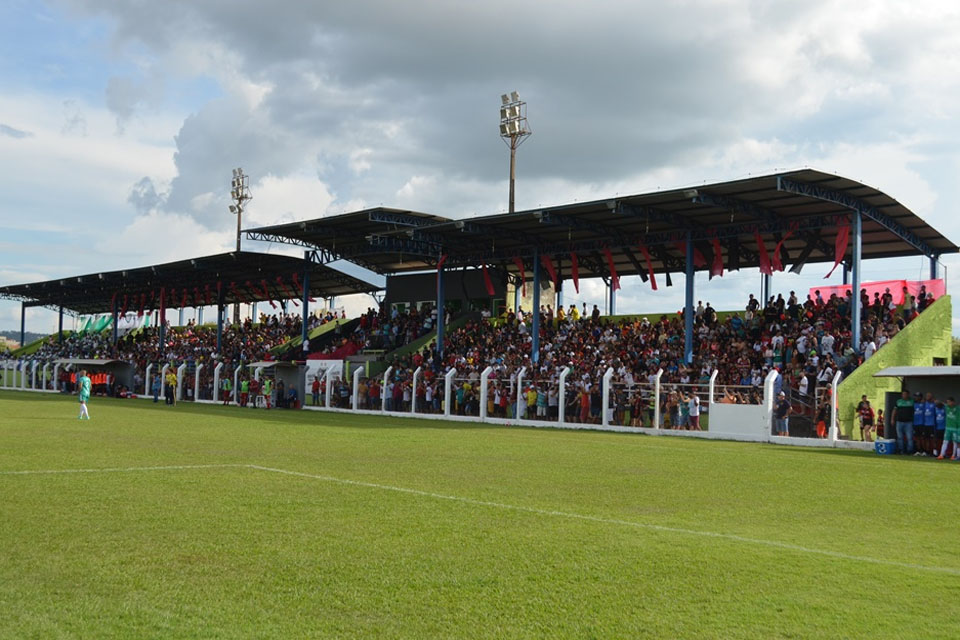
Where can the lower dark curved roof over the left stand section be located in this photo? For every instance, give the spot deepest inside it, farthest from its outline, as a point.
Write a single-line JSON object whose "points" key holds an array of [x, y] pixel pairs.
{"points": [[244, 276]]}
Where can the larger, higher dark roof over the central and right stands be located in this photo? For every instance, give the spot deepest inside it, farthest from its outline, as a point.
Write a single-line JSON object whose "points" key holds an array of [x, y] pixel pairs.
{"points": [[801, 209]]}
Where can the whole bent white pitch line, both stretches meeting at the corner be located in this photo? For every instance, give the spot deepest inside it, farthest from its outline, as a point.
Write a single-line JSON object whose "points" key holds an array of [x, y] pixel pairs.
{"points": [[500, 505]]}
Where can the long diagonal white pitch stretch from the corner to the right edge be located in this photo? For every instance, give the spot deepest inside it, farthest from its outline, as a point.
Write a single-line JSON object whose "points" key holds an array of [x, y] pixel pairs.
{"points": [[626, 523]]}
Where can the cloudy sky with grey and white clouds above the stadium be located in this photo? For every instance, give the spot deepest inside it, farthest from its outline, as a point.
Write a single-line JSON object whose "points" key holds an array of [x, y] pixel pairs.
{"points": [[121, 121]]}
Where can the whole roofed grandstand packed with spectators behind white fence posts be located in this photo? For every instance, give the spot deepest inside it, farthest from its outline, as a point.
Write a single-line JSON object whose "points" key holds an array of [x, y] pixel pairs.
{"points": [[546, 364]]}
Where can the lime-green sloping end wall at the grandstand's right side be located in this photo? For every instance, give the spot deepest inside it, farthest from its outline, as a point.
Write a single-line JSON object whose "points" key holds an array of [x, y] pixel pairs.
{"points": [[926, 338]]}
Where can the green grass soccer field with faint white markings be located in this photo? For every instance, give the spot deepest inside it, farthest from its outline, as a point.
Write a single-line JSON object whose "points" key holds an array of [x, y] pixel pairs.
{"points": [[205, 521]]}
